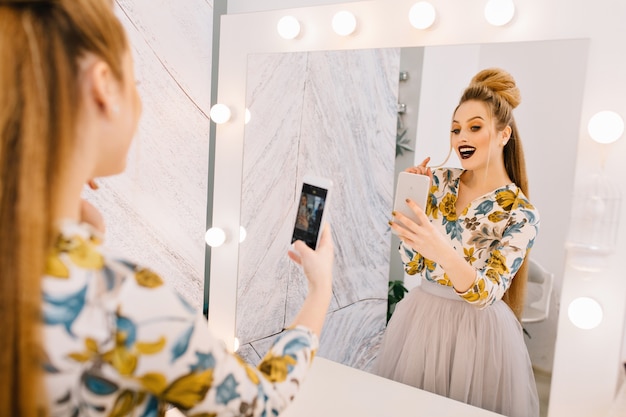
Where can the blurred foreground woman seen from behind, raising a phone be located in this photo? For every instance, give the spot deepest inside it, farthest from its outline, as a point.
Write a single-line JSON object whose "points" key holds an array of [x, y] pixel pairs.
{"points": [[84, 333]]}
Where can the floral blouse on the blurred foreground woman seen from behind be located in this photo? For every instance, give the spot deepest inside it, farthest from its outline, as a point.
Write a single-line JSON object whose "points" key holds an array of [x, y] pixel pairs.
{"points": [[119, 342]]}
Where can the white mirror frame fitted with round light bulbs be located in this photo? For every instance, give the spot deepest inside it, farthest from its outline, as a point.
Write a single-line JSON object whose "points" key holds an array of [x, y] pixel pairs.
{"points": [[586, 368]]}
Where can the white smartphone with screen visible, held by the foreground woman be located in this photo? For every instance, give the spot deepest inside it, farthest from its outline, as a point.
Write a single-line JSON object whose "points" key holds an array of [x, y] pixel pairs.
{"points": [[311, 210]]}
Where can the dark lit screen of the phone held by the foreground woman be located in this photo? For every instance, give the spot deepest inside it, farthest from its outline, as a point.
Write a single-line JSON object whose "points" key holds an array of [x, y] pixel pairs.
{"points": [[309, 217]]}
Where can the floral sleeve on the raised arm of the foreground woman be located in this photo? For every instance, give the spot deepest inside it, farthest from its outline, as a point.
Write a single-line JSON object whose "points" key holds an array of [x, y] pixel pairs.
{"points": [[164, 348]]}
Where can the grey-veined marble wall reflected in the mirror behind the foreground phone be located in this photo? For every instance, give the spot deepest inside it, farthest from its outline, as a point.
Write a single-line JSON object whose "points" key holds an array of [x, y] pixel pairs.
{"points": [[330, 114]]}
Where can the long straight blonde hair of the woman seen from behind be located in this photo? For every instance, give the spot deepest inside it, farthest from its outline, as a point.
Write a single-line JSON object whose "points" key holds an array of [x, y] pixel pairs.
{"points": [[41, 43]]}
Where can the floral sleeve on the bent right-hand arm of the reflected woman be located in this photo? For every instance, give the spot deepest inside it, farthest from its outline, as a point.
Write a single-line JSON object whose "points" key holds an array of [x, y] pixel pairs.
{"points": [[504, 259]]}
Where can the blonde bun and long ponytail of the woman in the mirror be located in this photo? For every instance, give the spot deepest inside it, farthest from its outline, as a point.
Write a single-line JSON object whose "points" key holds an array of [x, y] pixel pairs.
{"points": [[498, 90]]}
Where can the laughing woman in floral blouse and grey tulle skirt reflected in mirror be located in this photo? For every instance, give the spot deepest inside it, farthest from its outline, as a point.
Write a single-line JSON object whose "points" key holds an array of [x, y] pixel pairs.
{"points": [[458, 333]]}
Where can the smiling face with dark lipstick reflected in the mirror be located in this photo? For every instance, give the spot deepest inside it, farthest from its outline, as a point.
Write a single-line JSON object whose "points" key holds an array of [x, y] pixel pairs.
{"points": [[474, 137]]}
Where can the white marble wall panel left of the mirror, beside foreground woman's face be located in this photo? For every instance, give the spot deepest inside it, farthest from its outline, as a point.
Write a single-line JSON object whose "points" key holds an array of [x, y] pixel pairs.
{"points": [[156, 211]]}
